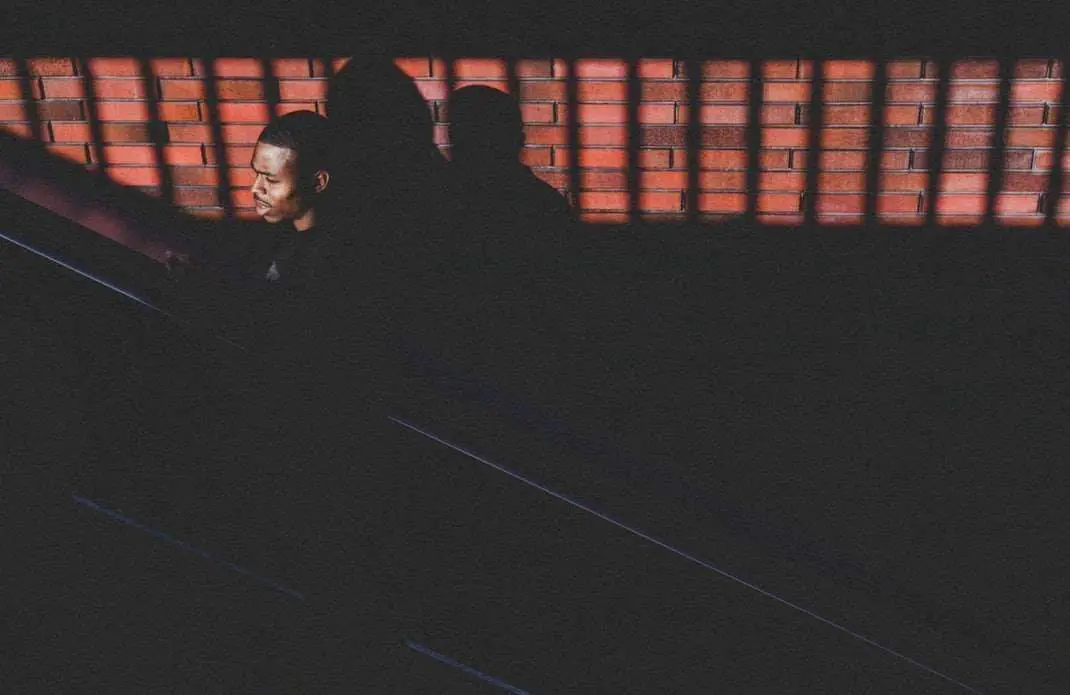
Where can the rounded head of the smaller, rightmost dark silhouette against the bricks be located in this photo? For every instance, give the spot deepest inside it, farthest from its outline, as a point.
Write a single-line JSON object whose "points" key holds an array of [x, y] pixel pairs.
{"points": [[485, 126]]}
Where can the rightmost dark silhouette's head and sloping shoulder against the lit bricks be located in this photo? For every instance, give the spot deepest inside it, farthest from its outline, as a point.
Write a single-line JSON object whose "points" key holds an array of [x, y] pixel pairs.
{"points": [[486, 138]]}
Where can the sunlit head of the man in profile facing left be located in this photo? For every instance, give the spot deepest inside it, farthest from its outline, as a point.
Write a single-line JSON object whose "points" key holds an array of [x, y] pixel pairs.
{"points": [[291, 163]]}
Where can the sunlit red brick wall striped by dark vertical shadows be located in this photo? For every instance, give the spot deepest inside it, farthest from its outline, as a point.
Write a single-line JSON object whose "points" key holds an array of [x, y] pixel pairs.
{"points": [[125, 96]]}
